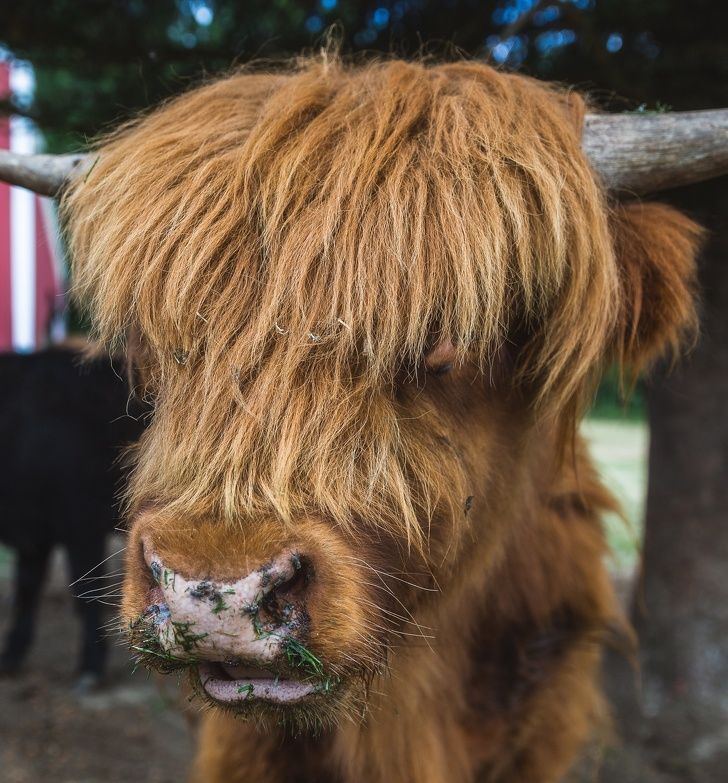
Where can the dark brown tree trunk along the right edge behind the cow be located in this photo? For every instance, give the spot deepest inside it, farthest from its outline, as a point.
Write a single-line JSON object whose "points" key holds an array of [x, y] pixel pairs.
{"points": [[676, 720]]}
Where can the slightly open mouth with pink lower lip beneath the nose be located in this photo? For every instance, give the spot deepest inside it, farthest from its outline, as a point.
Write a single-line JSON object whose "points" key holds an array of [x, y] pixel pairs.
{"points": [[236, 685]]}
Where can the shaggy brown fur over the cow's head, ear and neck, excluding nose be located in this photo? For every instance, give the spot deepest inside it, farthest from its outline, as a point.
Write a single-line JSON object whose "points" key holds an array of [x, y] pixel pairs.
{"points": [[284, 252]]}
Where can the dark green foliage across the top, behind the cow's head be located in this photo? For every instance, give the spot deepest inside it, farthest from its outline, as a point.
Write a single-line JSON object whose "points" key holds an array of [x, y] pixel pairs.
{"points": [[99, 62]]}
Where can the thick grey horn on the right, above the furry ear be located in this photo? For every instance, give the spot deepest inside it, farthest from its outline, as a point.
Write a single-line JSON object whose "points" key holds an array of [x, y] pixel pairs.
{"points": [[643, 153]]}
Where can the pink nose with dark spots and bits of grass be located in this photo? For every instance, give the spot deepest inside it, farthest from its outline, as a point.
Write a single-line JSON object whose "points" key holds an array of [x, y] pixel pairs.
{"points": [[250, 619]]}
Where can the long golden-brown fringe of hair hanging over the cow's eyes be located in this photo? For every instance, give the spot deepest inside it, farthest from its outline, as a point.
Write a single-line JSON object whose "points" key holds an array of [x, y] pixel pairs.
{"points": [[284, 245]]}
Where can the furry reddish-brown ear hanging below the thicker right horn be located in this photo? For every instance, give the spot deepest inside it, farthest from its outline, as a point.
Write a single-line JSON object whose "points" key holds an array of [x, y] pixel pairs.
{"points": [[656, 248]]}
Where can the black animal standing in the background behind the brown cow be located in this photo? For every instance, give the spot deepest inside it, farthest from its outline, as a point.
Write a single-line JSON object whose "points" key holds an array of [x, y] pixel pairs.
{"points": [[63, 426]]}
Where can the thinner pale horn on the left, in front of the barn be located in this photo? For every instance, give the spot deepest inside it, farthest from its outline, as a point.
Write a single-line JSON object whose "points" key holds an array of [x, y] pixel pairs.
{"points": [[45, 174]]}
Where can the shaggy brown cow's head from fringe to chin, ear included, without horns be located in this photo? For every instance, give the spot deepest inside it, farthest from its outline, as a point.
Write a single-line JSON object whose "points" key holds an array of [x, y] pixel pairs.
{"points": [[367, 305]]}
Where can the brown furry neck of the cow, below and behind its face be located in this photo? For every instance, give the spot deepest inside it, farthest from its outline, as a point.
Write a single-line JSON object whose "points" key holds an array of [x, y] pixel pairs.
{"points": [[447, 716]]}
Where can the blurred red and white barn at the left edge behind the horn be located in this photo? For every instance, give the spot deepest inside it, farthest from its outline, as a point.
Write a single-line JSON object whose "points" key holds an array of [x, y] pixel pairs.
{"points": [[31, 279]]}
